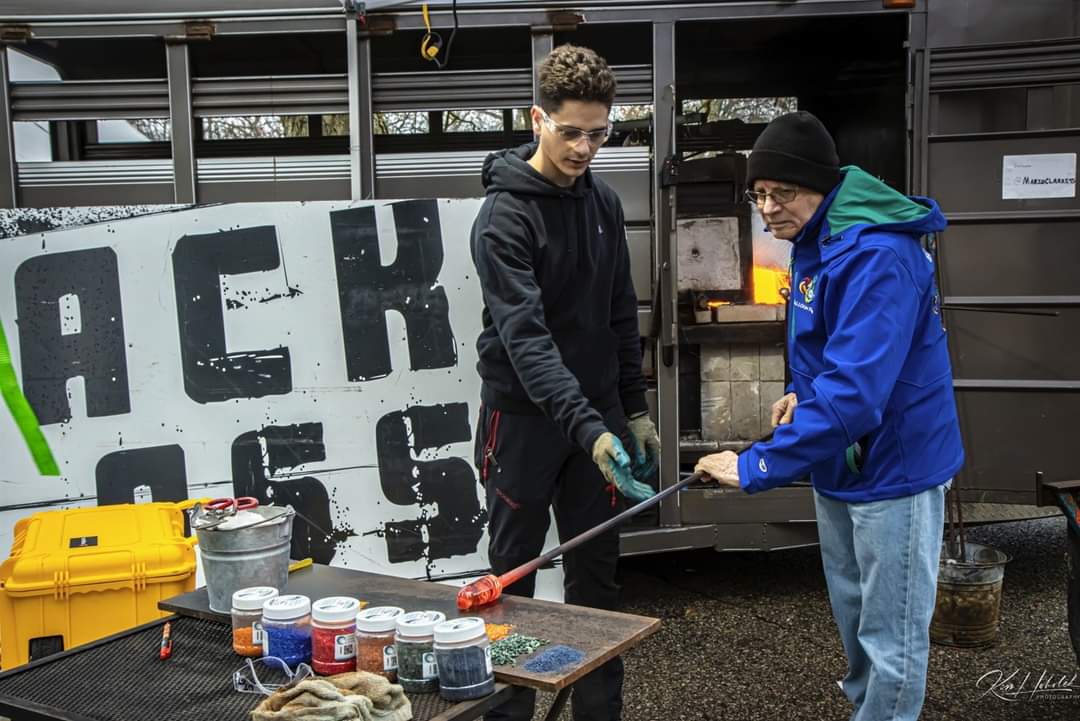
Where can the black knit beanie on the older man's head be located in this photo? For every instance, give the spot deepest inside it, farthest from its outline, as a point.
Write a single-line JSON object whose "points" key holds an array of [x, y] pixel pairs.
{"points": [[795, 148]]}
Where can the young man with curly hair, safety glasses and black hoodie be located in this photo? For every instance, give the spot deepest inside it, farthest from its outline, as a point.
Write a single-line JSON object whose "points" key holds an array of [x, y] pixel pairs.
{"points": [[563, 421]]}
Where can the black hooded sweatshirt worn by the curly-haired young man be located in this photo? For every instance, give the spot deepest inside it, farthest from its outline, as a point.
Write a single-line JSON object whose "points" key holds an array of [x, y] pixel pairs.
{"points": [[561, 333]]}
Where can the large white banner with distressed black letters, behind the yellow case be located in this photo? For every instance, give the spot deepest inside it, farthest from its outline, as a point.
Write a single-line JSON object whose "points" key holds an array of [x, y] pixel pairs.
{"points": [[318, 355]]}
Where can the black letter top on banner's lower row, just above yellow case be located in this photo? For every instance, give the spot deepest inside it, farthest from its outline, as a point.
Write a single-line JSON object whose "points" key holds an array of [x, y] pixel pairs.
{"points": [[160, 470]]}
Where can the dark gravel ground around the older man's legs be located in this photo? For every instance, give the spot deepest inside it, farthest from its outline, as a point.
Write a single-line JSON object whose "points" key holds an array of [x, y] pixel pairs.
{"points": [[751, 636]]}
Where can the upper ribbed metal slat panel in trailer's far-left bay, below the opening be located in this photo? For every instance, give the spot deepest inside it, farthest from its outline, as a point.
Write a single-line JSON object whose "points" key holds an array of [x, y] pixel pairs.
{"points": [[90, 100]]}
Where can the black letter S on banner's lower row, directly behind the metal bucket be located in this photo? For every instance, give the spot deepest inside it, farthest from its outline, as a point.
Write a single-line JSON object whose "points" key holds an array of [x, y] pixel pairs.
{"points": [[288, 447]]}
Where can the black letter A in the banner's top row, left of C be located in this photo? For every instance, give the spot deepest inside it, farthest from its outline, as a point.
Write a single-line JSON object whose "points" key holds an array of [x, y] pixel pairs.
{"points": [[89, 343]]}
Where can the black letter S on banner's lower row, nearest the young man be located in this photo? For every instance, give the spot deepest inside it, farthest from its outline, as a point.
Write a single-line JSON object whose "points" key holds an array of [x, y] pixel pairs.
{"points": [[449, 484]]}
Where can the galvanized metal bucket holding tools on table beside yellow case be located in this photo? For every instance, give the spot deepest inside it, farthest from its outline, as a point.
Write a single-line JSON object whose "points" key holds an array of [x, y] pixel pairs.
{"points": [[236, 557]]}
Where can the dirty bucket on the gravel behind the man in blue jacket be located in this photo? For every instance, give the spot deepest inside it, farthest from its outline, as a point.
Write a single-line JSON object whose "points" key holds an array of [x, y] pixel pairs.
{"points": [[969, 596]]}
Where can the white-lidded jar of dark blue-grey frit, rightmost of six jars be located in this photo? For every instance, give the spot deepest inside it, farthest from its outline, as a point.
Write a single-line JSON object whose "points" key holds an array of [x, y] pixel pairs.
{"points": [[464, 655]]}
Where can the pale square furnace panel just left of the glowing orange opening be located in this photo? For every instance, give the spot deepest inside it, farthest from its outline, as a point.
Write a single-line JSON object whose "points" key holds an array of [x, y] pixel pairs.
{"points": [[709, 257]]}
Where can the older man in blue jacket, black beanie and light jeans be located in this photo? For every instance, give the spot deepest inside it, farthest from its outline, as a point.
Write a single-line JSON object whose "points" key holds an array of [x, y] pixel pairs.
{"points": [[870, 415]]}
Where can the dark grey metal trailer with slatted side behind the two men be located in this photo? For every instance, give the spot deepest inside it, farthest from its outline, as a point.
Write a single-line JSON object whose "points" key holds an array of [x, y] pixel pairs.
{"points": [[939, 98]]}
